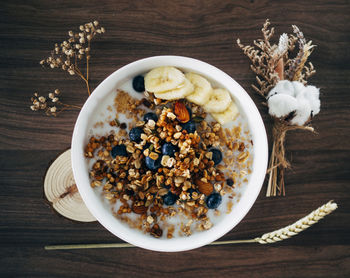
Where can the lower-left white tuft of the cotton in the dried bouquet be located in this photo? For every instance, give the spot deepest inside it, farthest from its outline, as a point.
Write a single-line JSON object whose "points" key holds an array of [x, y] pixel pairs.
{"points": [[280, 105]]}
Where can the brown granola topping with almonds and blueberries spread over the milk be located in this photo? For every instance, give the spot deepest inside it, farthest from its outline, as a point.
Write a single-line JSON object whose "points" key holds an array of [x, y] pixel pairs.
{"points": [[178, 185]]}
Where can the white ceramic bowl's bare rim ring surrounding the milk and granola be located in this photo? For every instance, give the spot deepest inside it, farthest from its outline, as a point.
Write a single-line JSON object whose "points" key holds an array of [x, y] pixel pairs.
{"points": [[103, 214]]}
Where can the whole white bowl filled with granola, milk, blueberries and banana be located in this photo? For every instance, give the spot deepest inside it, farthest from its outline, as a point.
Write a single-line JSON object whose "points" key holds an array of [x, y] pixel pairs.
{"points": [[169, 153]]}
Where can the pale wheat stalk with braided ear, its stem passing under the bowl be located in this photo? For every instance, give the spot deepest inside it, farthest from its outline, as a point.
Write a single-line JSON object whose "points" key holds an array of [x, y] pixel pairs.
{"points": [[272, 237]]}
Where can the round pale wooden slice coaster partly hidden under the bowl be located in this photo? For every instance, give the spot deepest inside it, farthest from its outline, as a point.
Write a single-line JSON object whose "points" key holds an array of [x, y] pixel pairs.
{"points": [[62, 192]]}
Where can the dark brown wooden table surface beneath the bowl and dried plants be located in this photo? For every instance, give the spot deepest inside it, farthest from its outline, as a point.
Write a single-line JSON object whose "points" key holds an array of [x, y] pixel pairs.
{"points": [[205, 30]]}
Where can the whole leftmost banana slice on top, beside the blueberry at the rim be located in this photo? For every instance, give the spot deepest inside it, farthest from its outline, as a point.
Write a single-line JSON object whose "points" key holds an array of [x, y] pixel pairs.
{"points": [[163, 79]]}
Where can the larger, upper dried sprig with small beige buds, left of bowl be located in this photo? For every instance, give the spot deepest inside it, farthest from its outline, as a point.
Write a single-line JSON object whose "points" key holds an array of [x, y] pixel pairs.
{"points": [[67, 54]]}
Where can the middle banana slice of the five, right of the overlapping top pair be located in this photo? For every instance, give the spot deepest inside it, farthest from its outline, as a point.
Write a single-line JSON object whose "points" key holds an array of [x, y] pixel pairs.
{"points": [[202, 89]]}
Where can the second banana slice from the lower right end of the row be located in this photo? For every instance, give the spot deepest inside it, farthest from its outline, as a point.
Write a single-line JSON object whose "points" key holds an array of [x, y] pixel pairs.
{"points": [[219, 100]]}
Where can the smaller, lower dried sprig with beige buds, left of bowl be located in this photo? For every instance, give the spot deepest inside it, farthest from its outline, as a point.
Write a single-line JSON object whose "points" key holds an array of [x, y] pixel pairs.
{"points": [[51, 104]]}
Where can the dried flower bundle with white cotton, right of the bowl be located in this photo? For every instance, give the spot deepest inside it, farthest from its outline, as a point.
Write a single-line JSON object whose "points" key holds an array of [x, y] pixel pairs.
{"points": [[296, 103]]}
